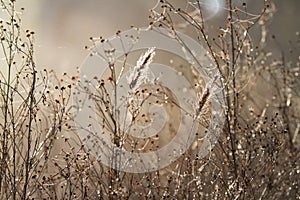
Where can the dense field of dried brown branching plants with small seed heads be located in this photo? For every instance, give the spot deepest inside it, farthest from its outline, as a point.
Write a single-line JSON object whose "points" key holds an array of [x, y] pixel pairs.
{"points": [[242, 100]]}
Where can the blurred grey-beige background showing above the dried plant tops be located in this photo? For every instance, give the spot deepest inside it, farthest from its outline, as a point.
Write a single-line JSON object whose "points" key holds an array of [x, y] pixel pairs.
{"points": [[63, 27]]}
